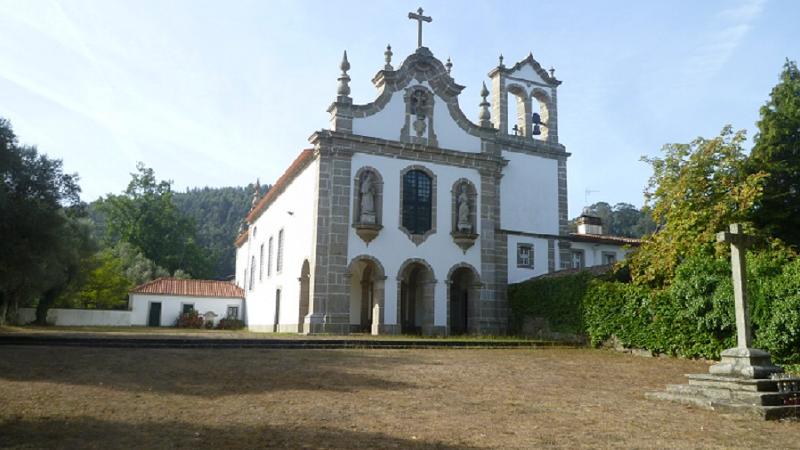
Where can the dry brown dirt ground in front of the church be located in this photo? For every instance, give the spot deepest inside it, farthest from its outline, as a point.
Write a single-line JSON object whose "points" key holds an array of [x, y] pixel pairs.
{"points": [[189, 398]]}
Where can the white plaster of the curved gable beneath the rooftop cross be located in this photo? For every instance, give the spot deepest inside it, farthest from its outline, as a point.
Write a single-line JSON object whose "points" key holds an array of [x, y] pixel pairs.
{"points": [[388, 122]]}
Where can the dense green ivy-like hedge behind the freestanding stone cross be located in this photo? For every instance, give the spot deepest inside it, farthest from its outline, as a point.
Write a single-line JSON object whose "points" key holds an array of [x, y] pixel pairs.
{"points": [[692, 317]]}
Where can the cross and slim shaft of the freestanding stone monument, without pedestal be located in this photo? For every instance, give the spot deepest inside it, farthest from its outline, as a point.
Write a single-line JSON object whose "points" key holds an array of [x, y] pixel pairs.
{"points": [[739, 243]]}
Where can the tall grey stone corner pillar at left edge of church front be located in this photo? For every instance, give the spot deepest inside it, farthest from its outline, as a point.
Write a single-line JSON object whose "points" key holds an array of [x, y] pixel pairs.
{"points": [[331, 295]]}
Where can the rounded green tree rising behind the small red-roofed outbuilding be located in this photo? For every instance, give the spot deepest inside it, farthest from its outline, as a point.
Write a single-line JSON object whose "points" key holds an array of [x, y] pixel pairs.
{"points": [[145, 216]]}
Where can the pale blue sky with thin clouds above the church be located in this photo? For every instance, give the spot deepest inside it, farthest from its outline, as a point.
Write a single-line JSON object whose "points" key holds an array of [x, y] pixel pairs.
{"points": [[217, 93]]}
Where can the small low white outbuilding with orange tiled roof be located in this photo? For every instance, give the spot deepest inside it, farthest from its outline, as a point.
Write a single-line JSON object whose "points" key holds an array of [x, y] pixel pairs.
{"points": [[158, 303]]}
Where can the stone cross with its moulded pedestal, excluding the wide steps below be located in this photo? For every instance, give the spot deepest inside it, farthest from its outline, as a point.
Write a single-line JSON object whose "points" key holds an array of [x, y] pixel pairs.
{"points": [[742, 361]]}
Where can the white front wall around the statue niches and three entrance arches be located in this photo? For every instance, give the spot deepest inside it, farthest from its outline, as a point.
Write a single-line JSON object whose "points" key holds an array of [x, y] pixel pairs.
{"points": [[392, 246]]}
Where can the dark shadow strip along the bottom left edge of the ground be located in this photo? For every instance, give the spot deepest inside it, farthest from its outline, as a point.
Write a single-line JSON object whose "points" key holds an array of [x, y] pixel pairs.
{"points": [[84, 432]]}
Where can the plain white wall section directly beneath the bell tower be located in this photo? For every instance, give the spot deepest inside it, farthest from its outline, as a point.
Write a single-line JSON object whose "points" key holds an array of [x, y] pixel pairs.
{"points": [[529, 194]]}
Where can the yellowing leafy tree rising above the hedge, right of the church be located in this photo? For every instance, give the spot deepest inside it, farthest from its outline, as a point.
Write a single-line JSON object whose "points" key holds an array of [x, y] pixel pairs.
{"points": [[696, 190]]}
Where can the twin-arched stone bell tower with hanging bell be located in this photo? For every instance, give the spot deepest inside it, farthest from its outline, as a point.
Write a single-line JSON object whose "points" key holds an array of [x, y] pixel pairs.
{"points": [[533, 91]]}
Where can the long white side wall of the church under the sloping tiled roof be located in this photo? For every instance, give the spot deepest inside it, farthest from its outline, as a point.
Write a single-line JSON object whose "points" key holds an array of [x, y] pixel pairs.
{"points": [[299, 235]]}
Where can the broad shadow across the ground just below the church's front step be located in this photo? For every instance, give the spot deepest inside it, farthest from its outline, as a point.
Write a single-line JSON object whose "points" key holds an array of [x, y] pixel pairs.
{"points": [[205, 373]]}
